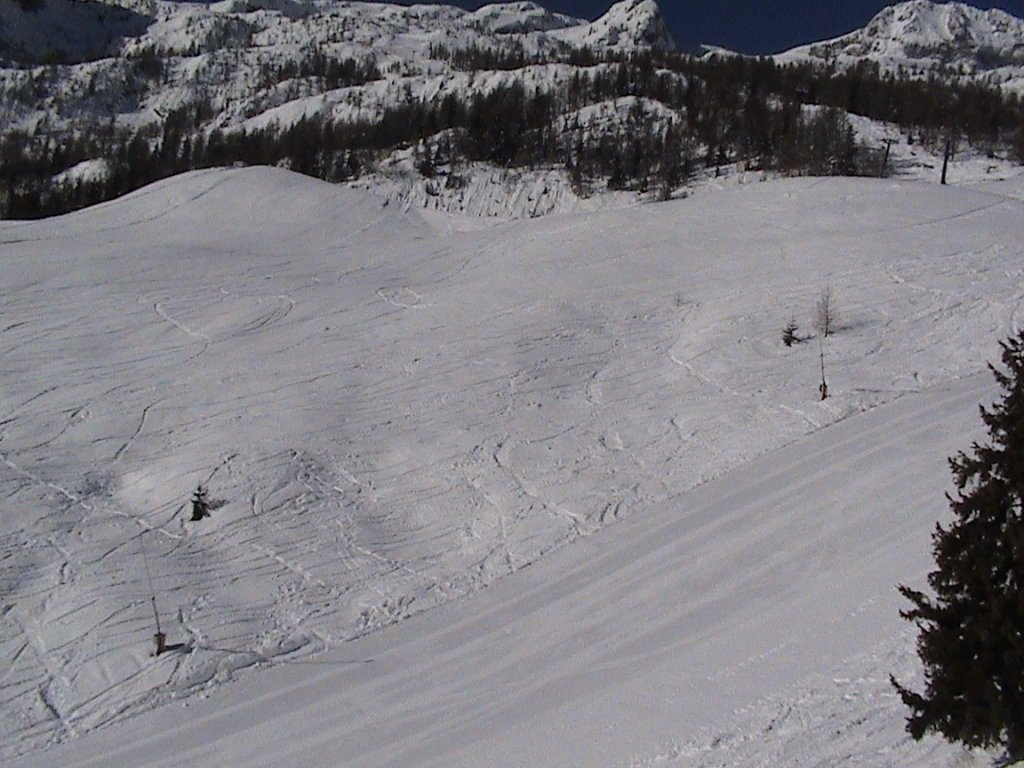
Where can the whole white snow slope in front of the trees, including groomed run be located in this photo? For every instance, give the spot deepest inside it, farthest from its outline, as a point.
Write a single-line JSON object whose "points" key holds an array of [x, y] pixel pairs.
{"points": [[392, 413]]}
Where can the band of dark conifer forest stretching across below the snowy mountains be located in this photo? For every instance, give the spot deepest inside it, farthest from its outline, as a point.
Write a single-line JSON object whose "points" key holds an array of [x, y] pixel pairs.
{"points": [[790, 119]]}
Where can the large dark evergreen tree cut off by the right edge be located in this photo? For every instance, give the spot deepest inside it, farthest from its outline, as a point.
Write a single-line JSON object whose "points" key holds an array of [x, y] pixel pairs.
{"points": [[972, 633]]}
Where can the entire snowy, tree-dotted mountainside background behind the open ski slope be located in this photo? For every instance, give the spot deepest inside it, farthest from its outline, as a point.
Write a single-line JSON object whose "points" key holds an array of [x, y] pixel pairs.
{"points": [[506, 111]]}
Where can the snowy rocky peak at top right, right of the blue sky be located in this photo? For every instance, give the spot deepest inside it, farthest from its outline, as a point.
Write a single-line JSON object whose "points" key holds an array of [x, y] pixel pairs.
{"points": [[922, 38]]}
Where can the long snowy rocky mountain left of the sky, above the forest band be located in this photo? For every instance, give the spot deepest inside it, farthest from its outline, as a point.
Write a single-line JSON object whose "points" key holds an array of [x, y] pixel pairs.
{"points": [[138, 67]]}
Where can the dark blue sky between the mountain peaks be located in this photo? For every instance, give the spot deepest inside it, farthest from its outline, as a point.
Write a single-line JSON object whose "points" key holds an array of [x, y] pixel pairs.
{"points": [[752, 26]]}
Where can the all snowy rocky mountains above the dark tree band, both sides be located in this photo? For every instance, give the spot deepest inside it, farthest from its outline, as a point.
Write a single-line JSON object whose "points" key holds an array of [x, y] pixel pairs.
{"points": [[229, 48]]}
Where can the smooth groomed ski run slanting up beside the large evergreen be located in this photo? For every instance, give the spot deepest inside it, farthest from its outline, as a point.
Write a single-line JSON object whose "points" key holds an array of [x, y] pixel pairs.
{"points": [[637, 638]]}
